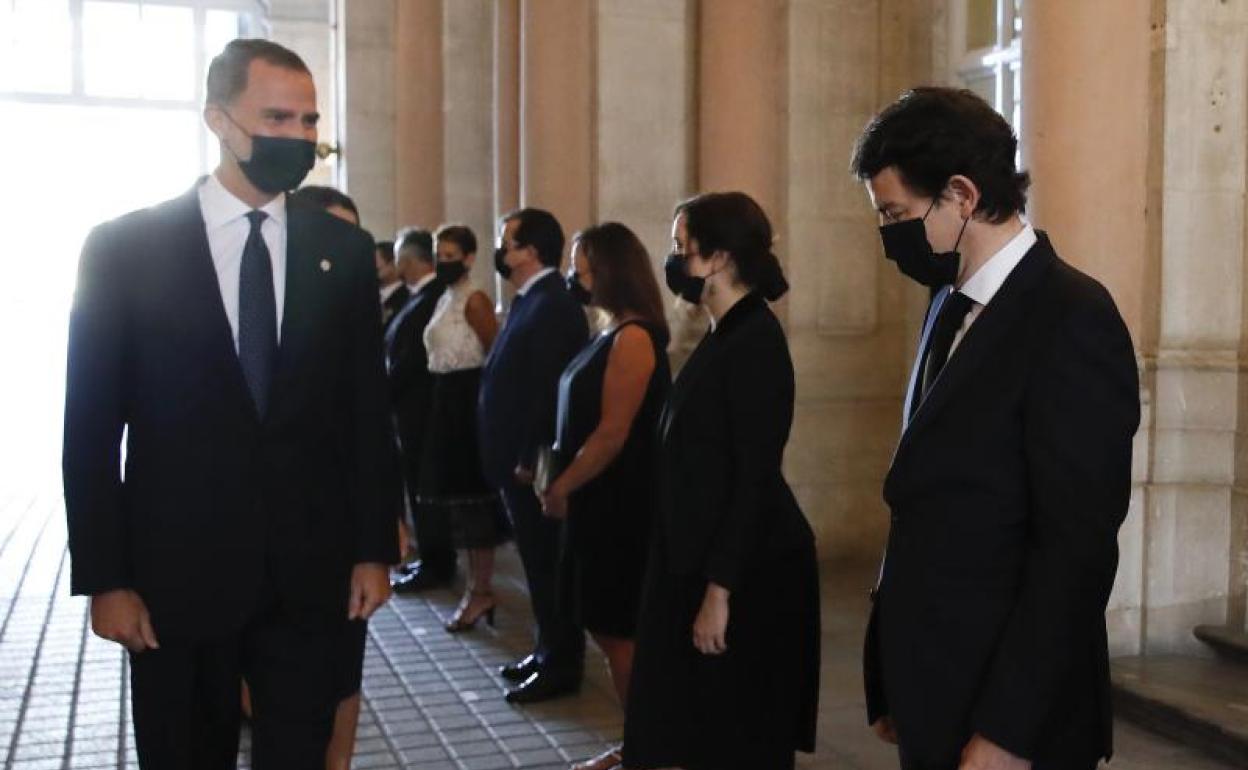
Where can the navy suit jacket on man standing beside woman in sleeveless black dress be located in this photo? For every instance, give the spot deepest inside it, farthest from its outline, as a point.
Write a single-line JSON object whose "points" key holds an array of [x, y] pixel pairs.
{"points": [[546, 329]]}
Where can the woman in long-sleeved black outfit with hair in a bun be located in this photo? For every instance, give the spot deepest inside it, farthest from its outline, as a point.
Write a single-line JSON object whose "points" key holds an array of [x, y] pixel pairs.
{"points": [[727, 670]]}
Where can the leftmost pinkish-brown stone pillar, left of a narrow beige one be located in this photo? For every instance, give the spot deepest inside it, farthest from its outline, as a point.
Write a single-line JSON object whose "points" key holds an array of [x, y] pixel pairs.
{"points": [[419, 114]]}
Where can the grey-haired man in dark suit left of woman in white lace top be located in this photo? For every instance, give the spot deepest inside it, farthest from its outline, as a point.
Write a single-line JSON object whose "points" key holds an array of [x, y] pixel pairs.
{"points": [[411, 391]]}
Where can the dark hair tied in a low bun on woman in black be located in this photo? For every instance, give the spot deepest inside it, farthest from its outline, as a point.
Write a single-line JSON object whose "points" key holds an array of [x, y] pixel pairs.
{"points": [[733, 223]]}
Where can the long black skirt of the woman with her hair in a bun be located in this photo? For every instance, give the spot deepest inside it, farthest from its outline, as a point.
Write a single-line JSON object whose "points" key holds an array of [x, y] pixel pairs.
{"points": [[752, 707]]}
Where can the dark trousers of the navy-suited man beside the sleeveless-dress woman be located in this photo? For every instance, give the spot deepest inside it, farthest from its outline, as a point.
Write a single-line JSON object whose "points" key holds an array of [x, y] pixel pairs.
{"points": [[561, 645]]}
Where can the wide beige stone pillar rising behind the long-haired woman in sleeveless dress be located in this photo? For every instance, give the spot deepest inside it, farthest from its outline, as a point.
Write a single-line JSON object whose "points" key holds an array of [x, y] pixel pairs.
{"points": [[646, 153]]}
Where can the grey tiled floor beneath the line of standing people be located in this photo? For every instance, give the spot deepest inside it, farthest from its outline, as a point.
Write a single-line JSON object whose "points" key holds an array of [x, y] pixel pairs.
{"points": [[431, 698]]}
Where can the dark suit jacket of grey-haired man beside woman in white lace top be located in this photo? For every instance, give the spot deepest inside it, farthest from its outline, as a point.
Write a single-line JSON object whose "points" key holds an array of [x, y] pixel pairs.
{"points": [[409, 366]]}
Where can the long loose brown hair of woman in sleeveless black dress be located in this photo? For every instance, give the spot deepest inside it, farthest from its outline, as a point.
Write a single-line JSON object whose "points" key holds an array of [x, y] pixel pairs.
{"points": [[623, 276]]}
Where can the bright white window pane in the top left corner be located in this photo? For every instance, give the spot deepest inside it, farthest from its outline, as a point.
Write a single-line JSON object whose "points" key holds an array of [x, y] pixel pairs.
{"points": [[39, 58]]}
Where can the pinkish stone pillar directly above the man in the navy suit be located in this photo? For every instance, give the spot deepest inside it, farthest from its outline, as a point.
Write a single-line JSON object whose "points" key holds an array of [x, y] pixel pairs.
{"points": [[557, 110]]}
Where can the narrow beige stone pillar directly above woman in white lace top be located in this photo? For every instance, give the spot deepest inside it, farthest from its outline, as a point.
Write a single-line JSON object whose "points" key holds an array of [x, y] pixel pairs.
{"points": [[469, 135]]}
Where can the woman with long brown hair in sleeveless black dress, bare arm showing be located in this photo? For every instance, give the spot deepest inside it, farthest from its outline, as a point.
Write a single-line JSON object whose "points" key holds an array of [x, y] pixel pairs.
{"points": [[610, 401]]}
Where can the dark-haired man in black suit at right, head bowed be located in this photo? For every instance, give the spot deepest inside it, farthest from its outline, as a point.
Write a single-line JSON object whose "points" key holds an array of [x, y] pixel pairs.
{"points": [[987, 646]]}
